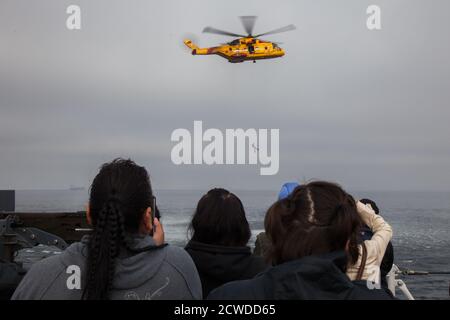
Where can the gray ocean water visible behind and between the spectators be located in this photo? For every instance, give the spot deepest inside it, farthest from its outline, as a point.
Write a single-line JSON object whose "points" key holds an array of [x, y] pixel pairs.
{"points": [[421, 223]]}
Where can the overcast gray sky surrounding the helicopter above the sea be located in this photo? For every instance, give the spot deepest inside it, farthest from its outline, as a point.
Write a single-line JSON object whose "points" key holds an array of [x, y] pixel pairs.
{"points": [[368, 109]]}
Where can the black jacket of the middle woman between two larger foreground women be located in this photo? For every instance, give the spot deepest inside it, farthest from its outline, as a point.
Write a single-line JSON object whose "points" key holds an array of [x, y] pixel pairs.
{"points": [[217, 265]]}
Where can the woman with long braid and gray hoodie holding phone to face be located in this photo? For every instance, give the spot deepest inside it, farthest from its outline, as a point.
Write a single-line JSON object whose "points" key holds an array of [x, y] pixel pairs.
{"points": [[119, 259]]}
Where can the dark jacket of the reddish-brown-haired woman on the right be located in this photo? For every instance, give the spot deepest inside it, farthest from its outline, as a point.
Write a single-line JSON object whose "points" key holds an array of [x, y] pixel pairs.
{"points": [[314, 277]]}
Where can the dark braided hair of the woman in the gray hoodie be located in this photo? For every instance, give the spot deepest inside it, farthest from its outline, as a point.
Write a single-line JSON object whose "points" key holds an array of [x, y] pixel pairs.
{"points": [[120, 194]]}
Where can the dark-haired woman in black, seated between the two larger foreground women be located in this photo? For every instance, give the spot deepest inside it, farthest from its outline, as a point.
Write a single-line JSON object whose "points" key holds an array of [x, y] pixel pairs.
{"points": [[219, 236]]}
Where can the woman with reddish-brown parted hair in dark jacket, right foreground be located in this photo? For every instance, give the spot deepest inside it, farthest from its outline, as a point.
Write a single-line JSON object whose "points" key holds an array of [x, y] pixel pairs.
{"points": [[314, 236]]}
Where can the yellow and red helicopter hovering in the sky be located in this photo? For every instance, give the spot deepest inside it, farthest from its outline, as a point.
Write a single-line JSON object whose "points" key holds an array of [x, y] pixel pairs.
{"points": [[247, 47]]}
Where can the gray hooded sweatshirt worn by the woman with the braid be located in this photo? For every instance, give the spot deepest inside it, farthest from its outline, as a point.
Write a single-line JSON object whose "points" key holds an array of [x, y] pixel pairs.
{"points": [[167, 273]]}
